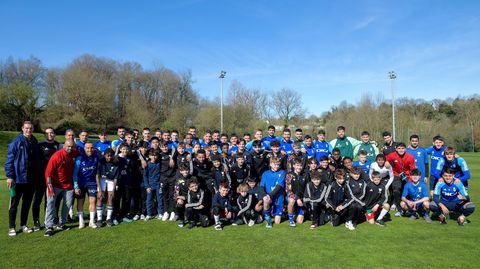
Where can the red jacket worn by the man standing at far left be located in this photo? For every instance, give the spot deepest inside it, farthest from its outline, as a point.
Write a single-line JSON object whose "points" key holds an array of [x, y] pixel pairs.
{"points": [[60, 169]]}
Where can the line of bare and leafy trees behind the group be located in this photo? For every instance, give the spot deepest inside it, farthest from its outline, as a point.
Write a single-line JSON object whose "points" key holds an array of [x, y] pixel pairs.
{"points": [[96, 93]]}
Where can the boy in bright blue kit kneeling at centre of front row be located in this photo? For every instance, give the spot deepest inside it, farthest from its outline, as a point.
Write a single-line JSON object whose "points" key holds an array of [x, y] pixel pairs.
{"points": [[273, 183]]}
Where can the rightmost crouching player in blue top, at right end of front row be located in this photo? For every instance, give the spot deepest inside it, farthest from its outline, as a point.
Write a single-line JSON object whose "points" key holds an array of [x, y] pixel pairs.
{"points": [[451, 197]]}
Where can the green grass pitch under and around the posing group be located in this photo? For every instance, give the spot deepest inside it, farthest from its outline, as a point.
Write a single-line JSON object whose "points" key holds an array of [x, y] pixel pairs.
{"points": [[402, 244]]}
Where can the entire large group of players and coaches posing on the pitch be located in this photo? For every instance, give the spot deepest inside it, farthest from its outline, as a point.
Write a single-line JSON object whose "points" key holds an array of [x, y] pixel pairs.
{"points": [[231, 180]]}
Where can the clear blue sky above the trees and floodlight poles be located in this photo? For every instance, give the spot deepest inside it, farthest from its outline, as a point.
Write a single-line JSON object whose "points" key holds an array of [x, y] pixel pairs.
{"points": [[329, 51]]}
